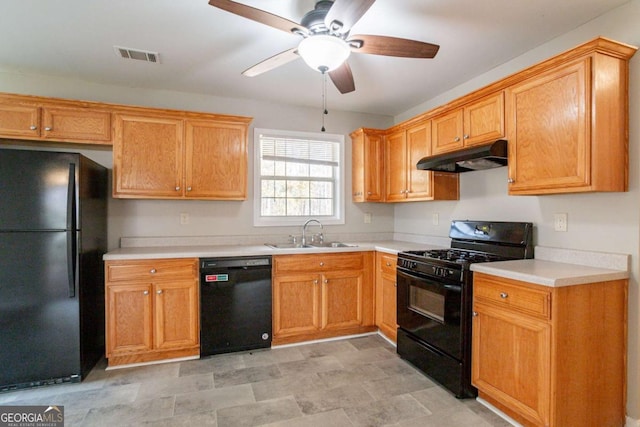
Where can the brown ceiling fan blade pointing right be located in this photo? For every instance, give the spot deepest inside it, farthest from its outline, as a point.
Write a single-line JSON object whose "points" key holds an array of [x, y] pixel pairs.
{"points": [[392, 46]]}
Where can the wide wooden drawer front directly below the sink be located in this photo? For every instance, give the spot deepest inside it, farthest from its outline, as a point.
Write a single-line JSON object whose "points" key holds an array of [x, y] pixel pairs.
{"points": [[318, 262]]}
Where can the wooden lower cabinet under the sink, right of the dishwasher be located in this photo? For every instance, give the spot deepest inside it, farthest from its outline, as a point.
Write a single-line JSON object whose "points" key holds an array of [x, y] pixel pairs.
{"points": [[322, 295]]}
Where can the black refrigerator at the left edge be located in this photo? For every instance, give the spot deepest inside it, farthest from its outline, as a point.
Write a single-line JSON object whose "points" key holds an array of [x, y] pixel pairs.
{"points": [[53, 233]]}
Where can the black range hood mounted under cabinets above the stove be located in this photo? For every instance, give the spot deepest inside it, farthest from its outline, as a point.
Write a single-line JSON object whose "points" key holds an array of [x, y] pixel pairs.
{"points": [[469, 159]]}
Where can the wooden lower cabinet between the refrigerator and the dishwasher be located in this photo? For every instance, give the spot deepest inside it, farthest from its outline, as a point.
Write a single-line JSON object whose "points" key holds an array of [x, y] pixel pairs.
{"points": [[152, 310]]}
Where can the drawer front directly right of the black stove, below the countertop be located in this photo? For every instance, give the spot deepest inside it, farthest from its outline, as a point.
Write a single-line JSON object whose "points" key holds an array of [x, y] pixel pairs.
{"points": [[510, 295]]}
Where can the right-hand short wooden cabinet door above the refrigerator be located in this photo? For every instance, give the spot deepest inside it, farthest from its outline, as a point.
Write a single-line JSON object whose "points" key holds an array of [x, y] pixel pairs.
{"points": [[84, 125]]}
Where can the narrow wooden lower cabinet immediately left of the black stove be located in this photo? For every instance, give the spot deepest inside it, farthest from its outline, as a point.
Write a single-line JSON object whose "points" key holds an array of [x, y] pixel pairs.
{"points": [[386, 295]]}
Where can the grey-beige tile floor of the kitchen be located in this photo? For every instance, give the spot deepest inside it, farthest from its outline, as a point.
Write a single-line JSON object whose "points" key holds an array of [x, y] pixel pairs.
{"points": [[353, 382]]}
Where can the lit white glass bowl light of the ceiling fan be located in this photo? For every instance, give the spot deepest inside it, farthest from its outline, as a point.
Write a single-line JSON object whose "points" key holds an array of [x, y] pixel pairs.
{"points": [[324, 52]]}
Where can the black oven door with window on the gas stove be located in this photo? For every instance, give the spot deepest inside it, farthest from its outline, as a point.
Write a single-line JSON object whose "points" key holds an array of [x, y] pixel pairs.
{"points": [[430, 311]]}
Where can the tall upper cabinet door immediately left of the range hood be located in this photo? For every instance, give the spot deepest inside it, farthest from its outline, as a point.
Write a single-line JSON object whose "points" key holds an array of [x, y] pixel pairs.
{"points": [[419, 182]]}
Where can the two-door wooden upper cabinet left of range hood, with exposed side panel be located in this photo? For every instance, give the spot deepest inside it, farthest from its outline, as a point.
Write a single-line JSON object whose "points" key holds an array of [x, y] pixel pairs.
{"points": [[404, 181]]}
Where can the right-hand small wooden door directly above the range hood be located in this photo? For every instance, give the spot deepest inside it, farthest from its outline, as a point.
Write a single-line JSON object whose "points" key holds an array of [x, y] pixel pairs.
{"points": [[484, 120]]}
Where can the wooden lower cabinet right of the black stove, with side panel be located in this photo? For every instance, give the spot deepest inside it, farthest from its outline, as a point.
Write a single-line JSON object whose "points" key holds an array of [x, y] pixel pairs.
{"points": [[551, 356]]}
